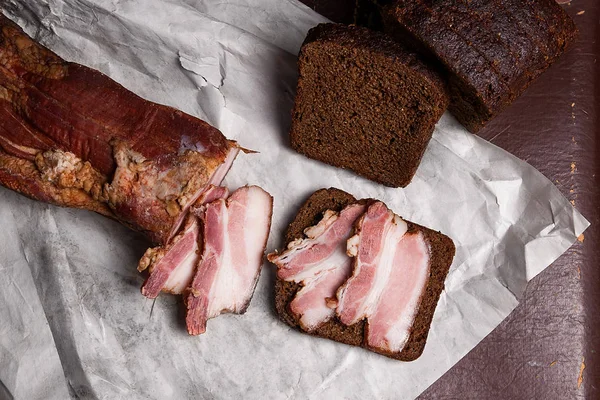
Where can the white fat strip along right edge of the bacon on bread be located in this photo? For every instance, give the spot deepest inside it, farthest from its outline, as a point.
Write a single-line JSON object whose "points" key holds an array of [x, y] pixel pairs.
{"points": [[399, 332]]}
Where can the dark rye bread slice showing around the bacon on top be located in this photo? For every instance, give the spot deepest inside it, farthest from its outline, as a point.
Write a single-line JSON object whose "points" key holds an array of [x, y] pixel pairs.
{"points": [[442, 253]]}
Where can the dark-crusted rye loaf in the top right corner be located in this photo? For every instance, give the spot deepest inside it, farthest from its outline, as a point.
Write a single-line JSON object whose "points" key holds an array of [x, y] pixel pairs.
{"points": [[490, 50]]}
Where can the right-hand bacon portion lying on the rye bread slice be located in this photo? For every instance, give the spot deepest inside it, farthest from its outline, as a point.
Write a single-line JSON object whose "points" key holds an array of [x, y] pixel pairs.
{"points": [[391, 270]]}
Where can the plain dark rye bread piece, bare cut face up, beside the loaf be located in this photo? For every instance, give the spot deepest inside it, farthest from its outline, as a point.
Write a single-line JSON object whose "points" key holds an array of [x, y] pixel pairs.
{"points": [[364, 103]]}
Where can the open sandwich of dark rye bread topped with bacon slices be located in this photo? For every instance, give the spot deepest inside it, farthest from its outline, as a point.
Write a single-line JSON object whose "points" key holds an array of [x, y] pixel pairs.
{"points": [[386, 300]]}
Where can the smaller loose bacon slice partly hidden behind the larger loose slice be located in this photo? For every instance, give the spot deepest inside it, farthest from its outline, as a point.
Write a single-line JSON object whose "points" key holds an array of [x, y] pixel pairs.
{"points": [[172, 266]]}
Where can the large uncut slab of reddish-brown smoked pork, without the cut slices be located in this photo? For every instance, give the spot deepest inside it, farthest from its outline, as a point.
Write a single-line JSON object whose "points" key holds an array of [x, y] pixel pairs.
{"points": [[71, 136]]}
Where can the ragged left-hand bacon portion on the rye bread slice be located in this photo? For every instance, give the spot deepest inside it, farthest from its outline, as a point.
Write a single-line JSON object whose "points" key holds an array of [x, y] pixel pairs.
{"points": [[320, 264]]}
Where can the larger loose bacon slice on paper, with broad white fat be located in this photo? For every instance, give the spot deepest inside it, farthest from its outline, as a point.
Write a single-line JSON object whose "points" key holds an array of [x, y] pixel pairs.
{"points": [[235, 237]]}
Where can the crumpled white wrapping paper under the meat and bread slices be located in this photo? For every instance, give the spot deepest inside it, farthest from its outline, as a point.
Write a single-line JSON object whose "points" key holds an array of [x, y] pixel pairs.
{"points": [[72, 320]]}
